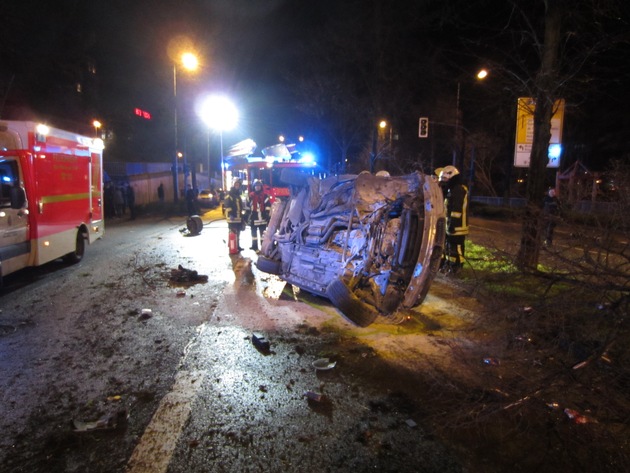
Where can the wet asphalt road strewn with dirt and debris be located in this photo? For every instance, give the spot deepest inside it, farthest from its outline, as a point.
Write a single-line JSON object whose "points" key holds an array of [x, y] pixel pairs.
{"points": [[110, 366]]}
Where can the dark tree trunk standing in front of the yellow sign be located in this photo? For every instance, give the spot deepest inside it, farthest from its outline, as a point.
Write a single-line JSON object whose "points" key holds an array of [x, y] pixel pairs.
{"points": [[545, 85]]}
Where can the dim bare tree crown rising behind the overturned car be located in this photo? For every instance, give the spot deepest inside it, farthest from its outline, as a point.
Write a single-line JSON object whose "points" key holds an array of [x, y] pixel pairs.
{"points": [[365, 67]]}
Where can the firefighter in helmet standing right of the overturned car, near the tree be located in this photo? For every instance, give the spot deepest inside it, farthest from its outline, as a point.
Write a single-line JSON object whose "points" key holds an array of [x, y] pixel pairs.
{"points": [[456, 204]]}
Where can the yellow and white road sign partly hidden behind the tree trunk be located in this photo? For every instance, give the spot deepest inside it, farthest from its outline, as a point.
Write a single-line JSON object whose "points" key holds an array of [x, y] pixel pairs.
{"points": [[525, 132]]}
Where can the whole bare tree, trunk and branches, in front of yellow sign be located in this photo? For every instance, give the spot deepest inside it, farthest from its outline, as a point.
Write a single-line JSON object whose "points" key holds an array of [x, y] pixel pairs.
{"points": [[544, 50]]}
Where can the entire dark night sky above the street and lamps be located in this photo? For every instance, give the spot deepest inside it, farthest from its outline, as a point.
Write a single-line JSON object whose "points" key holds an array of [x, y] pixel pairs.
{"points": [[400, 59]]}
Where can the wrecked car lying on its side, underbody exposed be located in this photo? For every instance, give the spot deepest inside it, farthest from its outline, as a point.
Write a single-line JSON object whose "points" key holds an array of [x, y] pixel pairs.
{"points": [[370, 243]]}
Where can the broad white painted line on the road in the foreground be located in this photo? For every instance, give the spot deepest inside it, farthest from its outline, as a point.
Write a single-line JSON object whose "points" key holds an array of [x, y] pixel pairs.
{"points": [[157, 445]]}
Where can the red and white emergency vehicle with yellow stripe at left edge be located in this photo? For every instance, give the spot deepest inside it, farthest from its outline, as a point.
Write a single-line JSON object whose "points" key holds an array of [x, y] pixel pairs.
{"points": [[51, 185]]}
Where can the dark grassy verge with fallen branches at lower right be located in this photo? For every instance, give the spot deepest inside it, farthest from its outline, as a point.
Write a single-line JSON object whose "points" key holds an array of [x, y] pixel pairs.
{"points": [[562, 344]]}
